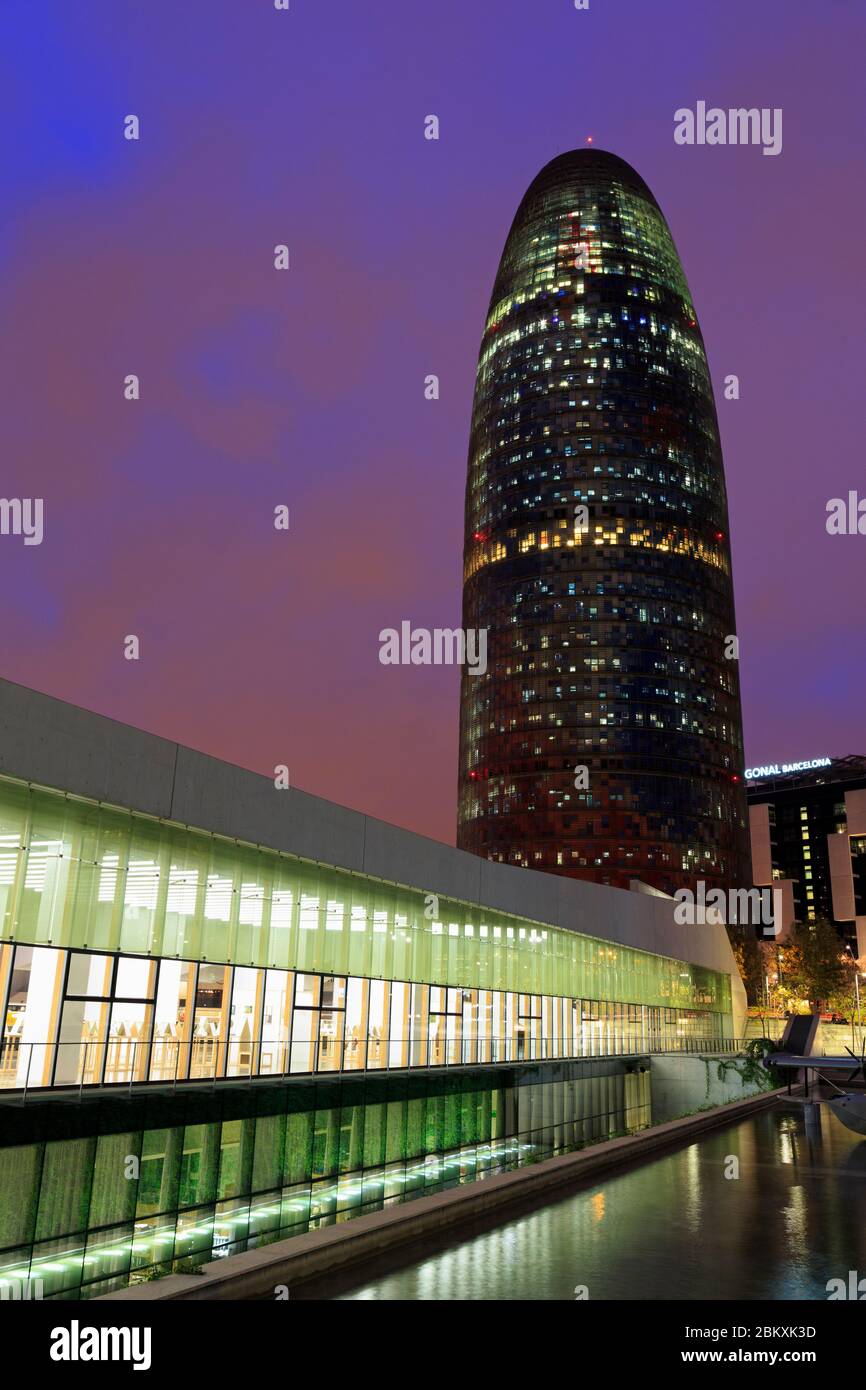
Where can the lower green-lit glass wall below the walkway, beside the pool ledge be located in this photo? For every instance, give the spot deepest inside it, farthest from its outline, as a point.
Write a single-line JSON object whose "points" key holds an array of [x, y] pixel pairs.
{"points": [[85, 1216]]}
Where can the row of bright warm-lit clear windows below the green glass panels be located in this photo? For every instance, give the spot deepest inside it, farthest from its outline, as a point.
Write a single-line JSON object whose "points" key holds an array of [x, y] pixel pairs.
{"points": [[119, 1021]]}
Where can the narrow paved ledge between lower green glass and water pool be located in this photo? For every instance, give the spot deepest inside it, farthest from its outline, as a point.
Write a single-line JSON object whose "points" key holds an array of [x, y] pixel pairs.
{"points": [[301, 1259]]}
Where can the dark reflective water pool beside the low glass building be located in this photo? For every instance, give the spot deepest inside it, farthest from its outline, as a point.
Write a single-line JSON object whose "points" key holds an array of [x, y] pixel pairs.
{"points": [[675, 1228]]}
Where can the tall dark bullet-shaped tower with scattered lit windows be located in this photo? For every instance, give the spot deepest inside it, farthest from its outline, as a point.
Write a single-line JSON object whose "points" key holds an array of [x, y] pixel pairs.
{"points": [[604, 740]]}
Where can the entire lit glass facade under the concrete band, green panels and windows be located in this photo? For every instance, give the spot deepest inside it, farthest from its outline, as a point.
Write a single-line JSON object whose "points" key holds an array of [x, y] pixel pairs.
{"points": [[137, 950]]}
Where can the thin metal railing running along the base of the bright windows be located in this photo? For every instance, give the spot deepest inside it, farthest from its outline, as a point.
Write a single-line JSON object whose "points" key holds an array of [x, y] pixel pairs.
{"points": [[40, 1067]]}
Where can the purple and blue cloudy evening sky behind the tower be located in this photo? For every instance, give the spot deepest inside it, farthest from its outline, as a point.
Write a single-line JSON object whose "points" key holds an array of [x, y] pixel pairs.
{"points": [[307, 389]]}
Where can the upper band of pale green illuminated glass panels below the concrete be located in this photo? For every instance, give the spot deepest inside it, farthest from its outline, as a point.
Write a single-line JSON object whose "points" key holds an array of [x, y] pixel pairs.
{"points": [[85, 876]]}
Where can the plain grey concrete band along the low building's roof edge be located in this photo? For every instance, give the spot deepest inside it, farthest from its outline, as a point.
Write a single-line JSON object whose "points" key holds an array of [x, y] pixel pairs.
{"points": [[47, 742]]}
